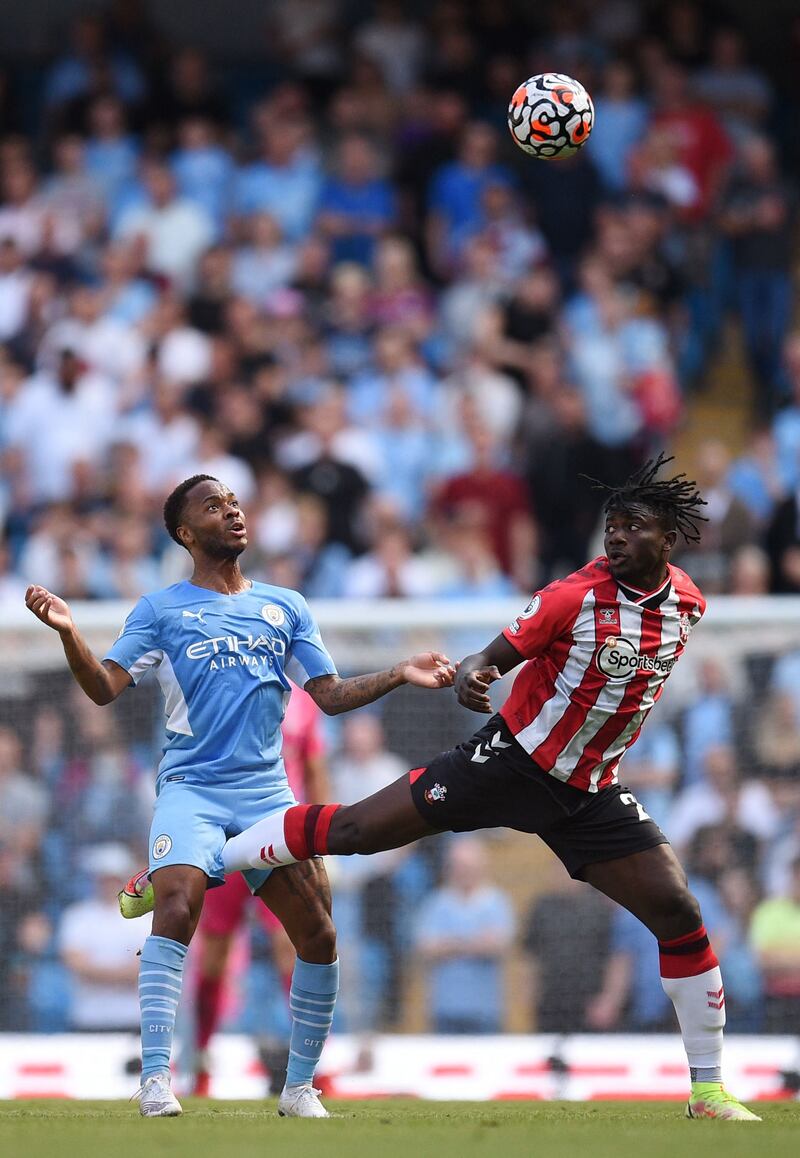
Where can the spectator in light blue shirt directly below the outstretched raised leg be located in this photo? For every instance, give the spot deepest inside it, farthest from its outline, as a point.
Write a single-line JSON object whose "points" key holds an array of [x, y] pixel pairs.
{"points": [[464, 933]]}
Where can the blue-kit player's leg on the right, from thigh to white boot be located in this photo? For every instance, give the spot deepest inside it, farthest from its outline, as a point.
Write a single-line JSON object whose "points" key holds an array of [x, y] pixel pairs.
{"points": [[299, 896]]}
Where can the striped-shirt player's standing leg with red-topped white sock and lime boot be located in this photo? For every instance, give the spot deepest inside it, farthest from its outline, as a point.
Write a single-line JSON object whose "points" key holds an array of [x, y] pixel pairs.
{"points": [[654, 886]]}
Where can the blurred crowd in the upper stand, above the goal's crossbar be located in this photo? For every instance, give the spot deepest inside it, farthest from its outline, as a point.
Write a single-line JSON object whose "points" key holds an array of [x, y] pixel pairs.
{"points": [[397, 336]]}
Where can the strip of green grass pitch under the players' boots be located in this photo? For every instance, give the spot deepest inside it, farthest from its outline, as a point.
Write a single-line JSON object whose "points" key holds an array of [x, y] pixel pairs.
{"points": [[393, 1130]]}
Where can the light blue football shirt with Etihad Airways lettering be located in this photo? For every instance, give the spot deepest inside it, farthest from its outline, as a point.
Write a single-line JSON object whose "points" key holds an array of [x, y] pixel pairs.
{"points": [[224, 664]]}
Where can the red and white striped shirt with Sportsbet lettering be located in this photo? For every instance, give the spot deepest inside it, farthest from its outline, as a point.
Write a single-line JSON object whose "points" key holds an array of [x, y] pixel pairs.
{"points": [[599, 655]]}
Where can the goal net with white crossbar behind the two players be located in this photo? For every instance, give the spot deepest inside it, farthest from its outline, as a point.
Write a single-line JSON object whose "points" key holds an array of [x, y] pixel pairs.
{"points": [[511, 944]]}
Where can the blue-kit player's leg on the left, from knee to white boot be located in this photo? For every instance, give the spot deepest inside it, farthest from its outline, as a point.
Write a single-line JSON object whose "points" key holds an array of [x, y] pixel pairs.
{"points": [[179, 893]]}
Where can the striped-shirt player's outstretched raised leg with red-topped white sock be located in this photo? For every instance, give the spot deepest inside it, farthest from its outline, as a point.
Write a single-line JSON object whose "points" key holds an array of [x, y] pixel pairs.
{"points": [[388, 819]]}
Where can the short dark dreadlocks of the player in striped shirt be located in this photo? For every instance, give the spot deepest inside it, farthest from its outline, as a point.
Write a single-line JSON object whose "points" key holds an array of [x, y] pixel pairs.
{"points": [[676, 502]]}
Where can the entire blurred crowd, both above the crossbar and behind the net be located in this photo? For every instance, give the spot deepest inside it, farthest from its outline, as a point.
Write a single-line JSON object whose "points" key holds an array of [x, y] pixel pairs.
{"points": [[333, 282]]}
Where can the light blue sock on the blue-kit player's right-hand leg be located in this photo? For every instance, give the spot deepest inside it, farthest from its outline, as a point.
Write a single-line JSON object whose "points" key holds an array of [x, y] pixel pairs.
{"points": [[312, 1001]]}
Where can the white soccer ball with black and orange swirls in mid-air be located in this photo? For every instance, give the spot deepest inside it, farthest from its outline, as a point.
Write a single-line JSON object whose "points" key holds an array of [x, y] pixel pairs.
{"points": [[551, 116]]}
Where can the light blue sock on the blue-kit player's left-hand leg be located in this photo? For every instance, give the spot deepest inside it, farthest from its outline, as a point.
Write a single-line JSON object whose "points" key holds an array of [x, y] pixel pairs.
{"points": [[160, 980]]}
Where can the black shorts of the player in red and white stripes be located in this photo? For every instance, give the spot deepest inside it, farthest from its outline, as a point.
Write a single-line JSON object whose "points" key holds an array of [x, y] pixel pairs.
{"points": [[490, 782]]}
